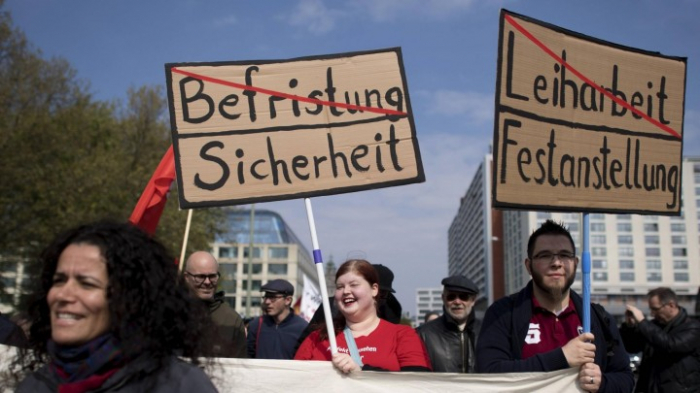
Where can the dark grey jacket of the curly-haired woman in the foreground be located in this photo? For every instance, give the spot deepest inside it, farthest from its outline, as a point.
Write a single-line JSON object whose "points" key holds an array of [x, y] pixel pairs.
{"points": [[140, 375]]}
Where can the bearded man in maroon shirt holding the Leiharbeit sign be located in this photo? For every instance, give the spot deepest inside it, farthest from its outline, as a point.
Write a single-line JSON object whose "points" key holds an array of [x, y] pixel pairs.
{"points": [[539, 328]]}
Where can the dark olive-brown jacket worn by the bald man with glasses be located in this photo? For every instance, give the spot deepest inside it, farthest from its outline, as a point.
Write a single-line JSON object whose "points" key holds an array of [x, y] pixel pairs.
{"points": [[229, 340]]}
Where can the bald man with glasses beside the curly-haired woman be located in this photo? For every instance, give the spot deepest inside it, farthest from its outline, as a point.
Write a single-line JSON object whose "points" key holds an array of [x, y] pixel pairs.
{"points": [[202, 276]]}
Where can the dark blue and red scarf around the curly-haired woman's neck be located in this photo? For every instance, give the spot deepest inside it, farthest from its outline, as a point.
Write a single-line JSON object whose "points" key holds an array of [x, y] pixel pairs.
{"points": [[75, 363]]}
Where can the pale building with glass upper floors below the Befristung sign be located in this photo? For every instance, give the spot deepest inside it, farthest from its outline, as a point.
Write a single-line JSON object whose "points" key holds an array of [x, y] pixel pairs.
{"points": [[277, 253]]}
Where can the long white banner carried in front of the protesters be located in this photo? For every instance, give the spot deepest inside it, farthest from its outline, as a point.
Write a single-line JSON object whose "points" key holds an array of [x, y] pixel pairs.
{"points": [[262, 375]]}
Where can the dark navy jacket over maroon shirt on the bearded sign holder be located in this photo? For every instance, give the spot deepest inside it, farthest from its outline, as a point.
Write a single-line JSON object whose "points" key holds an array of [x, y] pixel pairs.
{"points": [[503, 331]]}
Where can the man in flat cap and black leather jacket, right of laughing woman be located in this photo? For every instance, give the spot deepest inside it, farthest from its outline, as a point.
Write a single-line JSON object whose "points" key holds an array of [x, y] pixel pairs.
{"points": [[450, 339]]}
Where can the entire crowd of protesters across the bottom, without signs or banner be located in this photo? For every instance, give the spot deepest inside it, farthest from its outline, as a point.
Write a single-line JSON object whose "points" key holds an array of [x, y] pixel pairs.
{"points": [[112, 313]]}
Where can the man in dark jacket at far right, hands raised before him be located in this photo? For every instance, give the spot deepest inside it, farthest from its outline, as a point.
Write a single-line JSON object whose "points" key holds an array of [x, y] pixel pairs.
{"points": [[670, 344]]}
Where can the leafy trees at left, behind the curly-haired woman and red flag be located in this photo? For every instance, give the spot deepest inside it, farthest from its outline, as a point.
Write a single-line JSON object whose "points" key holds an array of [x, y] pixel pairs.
{"points": [[67, 159]]}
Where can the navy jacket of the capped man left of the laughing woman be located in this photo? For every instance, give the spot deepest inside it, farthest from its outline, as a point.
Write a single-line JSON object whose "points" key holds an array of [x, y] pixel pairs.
{"points": [[274, 341]]}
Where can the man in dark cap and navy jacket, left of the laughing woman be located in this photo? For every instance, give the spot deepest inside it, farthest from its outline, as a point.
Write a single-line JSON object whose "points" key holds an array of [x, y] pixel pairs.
{"points": [[274, 335]]}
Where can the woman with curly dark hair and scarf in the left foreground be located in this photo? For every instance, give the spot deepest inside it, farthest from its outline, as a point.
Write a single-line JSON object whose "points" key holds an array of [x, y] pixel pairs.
{"points": [[112, 314]]}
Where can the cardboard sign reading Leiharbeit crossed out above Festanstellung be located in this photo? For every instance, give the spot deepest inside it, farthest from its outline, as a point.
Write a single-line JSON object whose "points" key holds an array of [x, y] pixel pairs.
{"points": [[585, 125]]}
